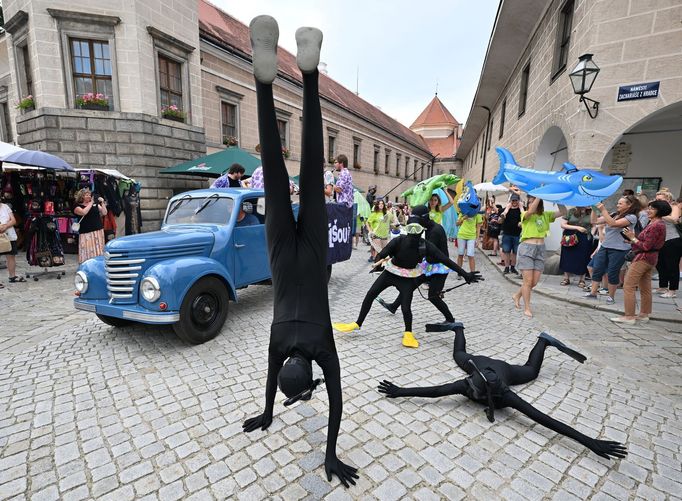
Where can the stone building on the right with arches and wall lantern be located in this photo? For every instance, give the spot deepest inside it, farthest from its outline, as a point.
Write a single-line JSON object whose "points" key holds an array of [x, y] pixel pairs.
{"points": [[538, 117]]}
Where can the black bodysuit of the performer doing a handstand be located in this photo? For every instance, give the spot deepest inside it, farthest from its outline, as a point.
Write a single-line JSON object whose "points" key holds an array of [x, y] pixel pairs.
{"points": [[298, 256]]}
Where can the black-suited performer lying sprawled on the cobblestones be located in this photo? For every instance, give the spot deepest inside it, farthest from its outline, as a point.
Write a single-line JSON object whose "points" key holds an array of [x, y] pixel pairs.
{"points": [[488, 383]]}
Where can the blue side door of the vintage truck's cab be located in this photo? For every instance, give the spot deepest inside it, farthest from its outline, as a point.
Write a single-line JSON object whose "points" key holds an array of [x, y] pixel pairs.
{"points": [[251, 250]]}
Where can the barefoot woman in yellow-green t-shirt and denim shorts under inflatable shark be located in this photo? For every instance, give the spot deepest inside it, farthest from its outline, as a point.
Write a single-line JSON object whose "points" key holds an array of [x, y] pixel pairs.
{"points": [[530, 260]]}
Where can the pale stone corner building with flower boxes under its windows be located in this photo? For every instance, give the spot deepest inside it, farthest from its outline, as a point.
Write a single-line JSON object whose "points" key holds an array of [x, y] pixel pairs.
{"points": [[58, 50]]}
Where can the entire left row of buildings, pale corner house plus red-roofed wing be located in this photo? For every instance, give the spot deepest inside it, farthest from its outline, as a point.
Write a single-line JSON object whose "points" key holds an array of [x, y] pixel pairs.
{"points": [[145, 55]]}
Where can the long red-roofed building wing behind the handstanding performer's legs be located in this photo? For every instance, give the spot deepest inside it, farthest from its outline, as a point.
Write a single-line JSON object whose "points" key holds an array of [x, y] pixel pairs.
{"points": [[380, 150]]}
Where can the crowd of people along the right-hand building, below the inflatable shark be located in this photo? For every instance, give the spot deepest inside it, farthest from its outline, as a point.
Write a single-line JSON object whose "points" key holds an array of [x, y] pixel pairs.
{"points": [[601, 251]]}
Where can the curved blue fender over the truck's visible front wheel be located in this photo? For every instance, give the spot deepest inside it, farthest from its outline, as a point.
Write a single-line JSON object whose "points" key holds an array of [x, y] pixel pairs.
{"points": [[176, 276]]}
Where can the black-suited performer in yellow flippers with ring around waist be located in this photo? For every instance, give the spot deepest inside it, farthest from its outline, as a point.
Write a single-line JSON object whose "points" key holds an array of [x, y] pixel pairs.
{"points": [[402, 272]]}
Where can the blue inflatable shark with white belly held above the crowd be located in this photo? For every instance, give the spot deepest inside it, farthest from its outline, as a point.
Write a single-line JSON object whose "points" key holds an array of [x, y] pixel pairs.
{"points": [[569, 186]]}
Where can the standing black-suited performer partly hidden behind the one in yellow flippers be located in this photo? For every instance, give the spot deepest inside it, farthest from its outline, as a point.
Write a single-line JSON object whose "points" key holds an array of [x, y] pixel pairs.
{"points": [[435, 234]]}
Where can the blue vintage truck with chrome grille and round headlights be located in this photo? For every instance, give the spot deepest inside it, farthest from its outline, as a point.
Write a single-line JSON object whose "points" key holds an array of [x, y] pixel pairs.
{"points": [[186, 273]]}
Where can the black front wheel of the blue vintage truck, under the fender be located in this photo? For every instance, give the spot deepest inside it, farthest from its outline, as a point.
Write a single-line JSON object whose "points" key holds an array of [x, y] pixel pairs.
{"points": [[203, 311]]}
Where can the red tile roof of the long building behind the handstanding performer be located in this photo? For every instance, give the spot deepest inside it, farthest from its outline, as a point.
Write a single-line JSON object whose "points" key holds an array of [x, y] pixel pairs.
{"points": [[226, 31]]}
